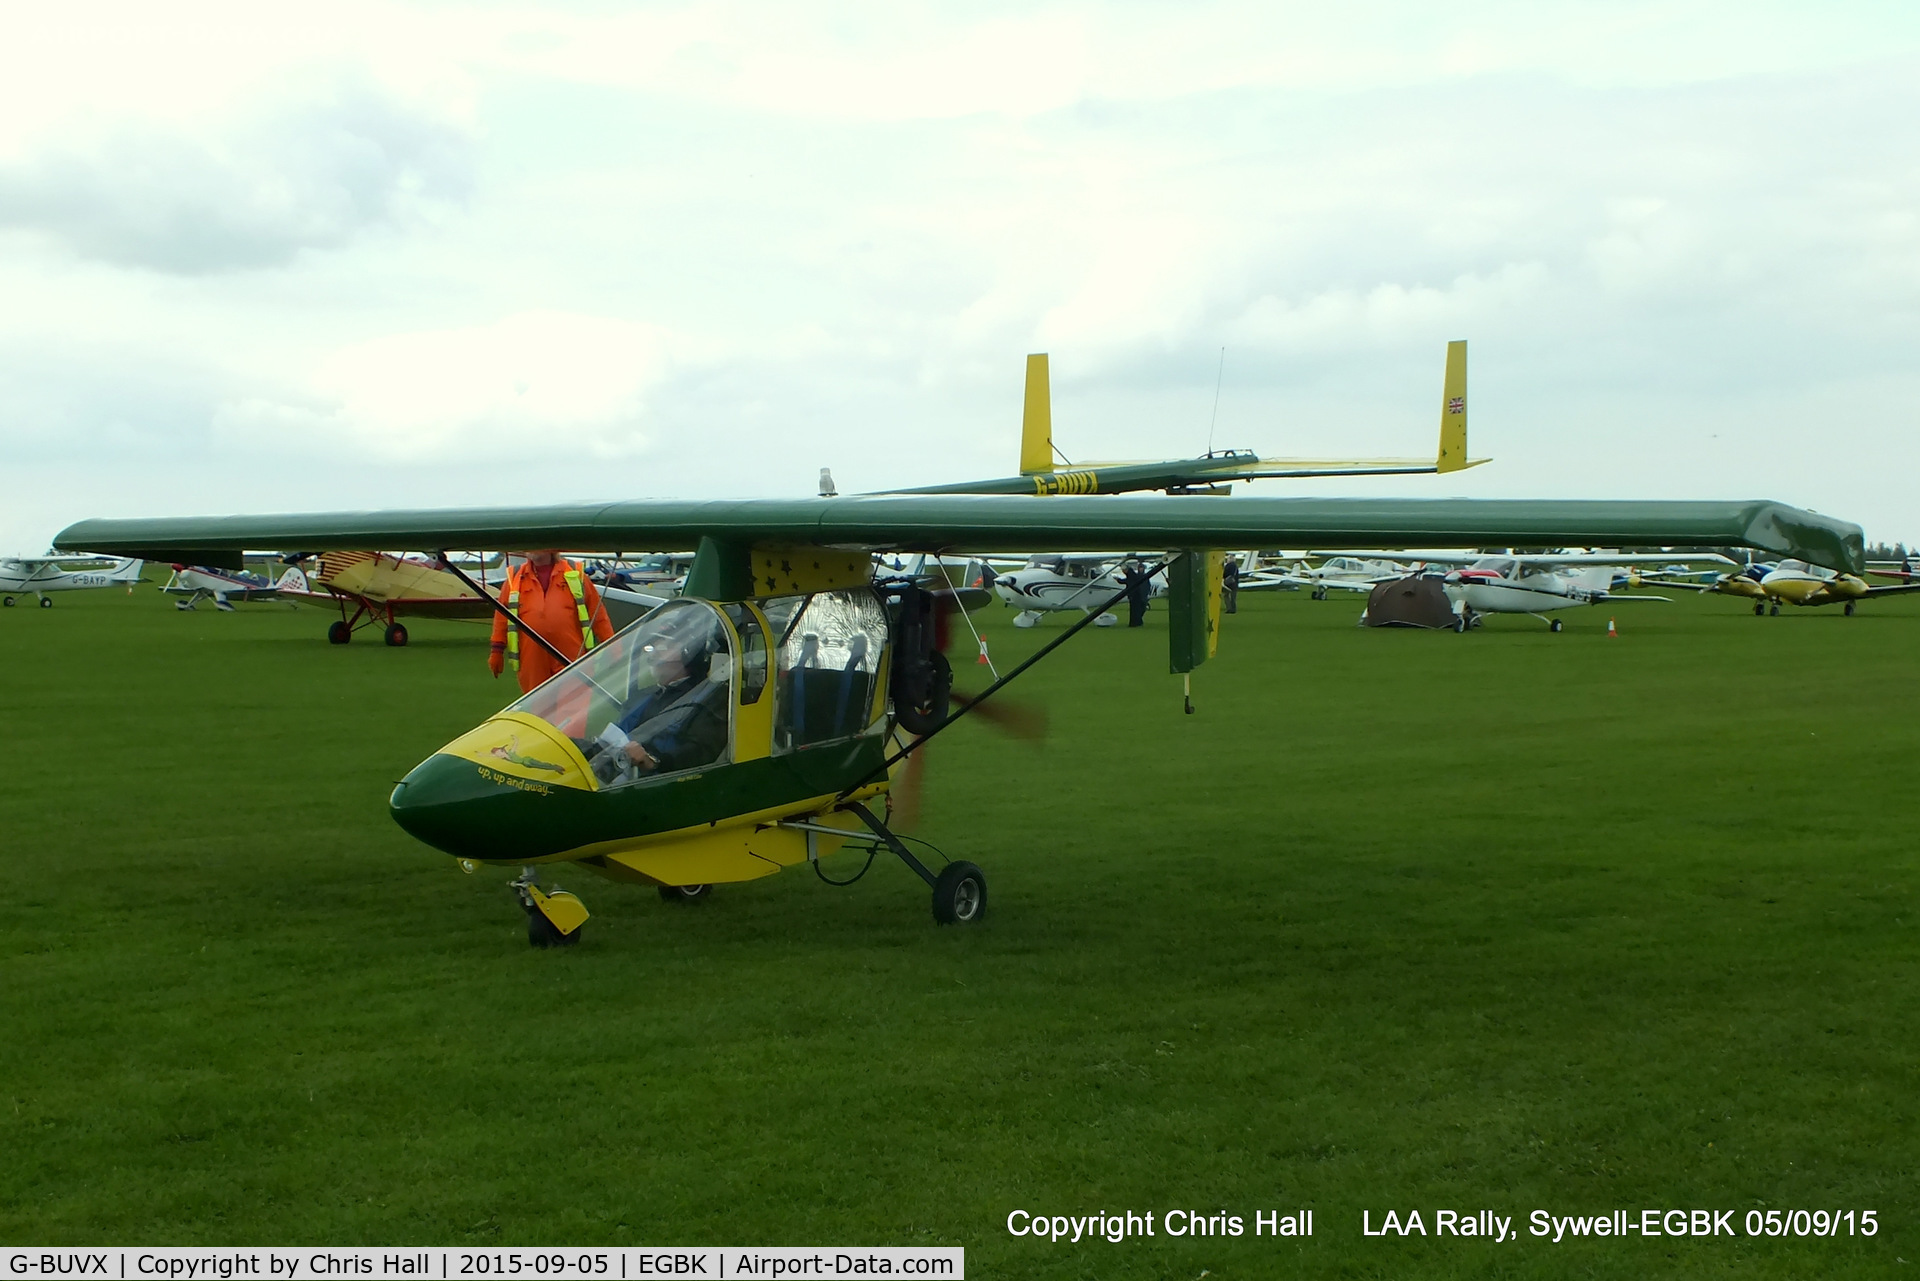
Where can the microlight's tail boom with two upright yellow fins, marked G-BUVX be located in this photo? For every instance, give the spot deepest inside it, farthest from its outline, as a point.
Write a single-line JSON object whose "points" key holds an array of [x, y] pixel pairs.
{"points": [[1218, 468]]}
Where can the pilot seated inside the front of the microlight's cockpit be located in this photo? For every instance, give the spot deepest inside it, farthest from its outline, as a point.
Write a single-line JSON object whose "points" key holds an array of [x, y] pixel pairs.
{"points": [[675, 725]]}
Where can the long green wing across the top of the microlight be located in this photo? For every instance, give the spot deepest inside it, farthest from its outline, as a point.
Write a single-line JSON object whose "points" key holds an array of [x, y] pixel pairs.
{"points": [[997, 523]]}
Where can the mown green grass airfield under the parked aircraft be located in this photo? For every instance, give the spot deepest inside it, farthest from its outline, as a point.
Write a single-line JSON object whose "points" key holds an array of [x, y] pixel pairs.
{"points": [[1399, 921]]}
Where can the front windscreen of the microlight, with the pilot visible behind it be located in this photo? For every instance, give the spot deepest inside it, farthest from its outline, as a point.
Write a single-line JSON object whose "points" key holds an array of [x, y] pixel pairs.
{"points": [[654, 700]]}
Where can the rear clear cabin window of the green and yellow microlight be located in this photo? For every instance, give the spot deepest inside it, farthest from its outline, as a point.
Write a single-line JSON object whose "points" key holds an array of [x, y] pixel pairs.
{"points": [[830, 652]]}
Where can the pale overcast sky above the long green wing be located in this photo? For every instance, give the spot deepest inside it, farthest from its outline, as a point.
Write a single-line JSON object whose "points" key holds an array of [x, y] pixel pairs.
{"points": [[366, 254]]}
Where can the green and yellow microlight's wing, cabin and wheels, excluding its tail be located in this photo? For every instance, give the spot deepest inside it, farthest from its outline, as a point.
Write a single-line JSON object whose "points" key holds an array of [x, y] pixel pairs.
{"points": [[754, 723]]}
